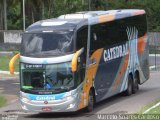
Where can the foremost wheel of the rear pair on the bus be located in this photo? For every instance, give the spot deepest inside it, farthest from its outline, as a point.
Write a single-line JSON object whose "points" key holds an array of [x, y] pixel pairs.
{"points": [[128, 92]]}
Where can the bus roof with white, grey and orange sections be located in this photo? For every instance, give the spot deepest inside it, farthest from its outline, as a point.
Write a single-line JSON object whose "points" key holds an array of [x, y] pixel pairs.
{"points": [[71, 21]]}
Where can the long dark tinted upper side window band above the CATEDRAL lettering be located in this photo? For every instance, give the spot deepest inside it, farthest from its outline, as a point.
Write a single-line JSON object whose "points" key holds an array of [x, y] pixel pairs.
{"points": [[114, 32]]}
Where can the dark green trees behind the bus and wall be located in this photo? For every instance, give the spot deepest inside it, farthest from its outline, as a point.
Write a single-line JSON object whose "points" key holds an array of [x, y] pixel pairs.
{"points": [[44, 9]]}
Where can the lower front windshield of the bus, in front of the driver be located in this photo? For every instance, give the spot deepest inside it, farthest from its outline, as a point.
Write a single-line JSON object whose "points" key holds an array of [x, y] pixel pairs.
{"points": [[53, 78]]}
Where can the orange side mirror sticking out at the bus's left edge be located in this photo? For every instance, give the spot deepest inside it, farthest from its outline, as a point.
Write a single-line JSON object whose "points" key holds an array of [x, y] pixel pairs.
{"points": [[12, 62]]}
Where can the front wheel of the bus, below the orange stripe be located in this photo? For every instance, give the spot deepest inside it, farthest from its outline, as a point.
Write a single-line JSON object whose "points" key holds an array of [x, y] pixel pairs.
{"points": [[90, 106]]}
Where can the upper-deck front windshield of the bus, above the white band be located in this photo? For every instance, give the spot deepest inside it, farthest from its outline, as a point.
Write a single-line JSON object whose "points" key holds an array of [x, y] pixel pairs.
{"points": [[47, 44]]}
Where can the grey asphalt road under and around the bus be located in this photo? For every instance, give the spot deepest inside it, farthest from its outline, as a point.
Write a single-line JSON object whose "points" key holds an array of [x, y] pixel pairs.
{"points": [[148, 93]]}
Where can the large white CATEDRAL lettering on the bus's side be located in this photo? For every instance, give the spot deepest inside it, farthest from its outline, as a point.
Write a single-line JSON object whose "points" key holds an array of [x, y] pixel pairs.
{"points": [[115, 52]]}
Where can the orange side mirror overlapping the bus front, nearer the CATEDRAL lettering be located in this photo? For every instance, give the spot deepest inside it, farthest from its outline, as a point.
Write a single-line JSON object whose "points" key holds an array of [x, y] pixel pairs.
{"points": [[75, 59]]}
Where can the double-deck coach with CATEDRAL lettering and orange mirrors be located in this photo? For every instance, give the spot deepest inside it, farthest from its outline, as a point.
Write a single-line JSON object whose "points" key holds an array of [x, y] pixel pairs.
{"points": [[76, 60]]}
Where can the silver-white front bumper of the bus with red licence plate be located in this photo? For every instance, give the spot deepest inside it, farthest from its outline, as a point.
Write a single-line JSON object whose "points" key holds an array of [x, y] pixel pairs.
{"points": [[69, 104]]}
